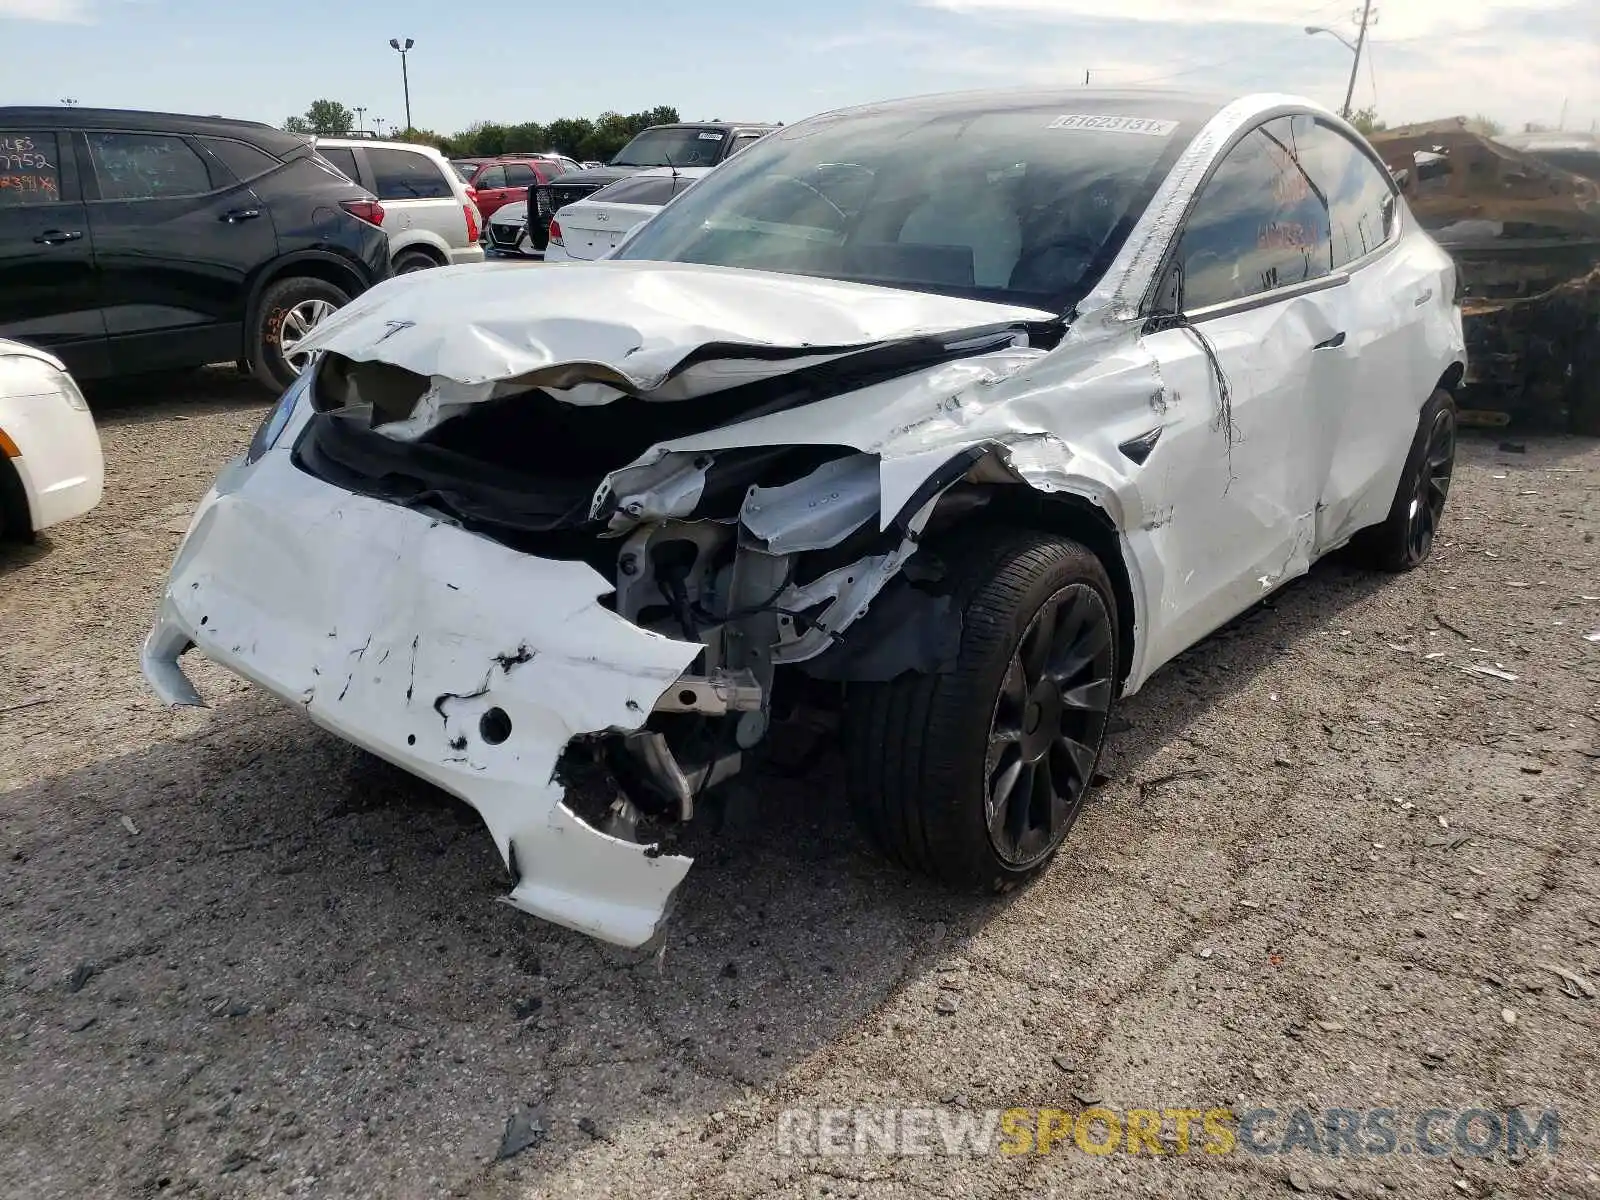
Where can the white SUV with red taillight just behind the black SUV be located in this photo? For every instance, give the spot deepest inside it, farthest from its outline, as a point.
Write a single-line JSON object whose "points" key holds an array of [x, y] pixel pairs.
{"points": [[428, 214]]}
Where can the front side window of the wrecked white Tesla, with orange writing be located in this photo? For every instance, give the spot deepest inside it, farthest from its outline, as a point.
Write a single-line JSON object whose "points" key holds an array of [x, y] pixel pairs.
{"points": [[1262, 223]]}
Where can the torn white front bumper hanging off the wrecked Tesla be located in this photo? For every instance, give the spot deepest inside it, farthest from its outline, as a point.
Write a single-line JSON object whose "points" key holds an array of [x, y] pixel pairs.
{"points": [[449, 655]]}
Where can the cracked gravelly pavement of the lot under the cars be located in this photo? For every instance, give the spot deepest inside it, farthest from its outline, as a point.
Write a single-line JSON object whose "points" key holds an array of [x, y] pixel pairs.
{"points": [[1332, 868]]}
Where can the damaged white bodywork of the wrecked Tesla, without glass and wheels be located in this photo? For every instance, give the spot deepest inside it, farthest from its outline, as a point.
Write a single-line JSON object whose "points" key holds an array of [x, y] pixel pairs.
{"points": [[1223, 454]]}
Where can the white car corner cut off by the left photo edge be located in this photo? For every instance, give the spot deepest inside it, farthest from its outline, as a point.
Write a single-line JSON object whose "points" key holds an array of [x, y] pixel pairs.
{"points": [[50, 457]]}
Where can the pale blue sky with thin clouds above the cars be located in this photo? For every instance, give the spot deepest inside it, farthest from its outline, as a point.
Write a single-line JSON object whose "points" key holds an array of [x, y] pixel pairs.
{"points": [[1513, 60]]}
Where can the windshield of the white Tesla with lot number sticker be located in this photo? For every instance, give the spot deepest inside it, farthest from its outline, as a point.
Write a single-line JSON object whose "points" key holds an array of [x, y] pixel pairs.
{"points": [[1023, 206]]}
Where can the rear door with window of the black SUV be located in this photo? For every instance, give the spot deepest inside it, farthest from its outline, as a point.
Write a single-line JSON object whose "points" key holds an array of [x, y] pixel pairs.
{"points": [[177, 239]]}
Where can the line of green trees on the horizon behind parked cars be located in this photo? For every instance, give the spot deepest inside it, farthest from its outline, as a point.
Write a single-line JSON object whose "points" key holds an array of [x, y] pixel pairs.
{"points": [[583, 138]]}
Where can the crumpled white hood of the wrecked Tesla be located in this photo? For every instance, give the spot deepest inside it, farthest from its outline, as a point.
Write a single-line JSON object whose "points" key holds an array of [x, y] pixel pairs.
{"points": [[634, 327]]}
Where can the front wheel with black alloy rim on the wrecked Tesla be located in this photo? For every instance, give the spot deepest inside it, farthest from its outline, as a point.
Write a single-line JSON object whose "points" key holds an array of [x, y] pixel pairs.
{"points": [[977, 777]]}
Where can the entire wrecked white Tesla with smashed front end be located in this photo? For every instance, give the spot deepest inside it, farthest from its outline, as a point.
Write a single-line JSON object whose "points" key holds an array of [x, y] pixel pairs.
{"points": [[959, 415]]}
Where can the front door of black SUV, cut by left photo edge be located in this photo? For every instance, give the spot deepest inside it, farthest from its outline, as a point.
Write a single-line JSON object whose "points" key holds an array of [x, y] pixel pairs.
{"points": [[49, 292]]}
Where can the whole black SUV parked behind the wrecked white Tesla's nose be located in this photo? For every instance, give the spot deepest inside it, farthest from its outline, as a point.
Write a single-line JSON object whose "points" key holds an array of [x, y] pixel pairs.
{"points": [[148, 241]]}
